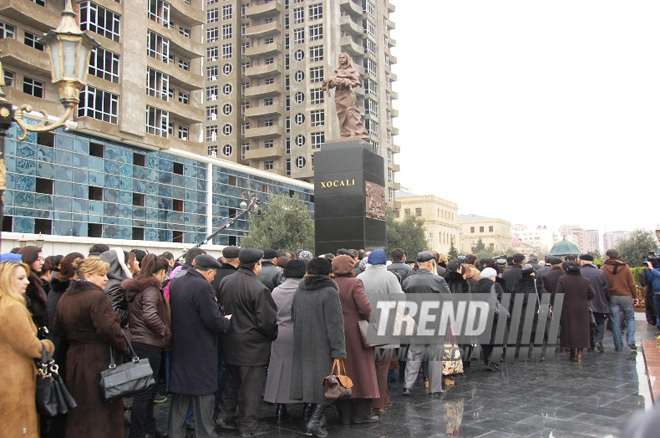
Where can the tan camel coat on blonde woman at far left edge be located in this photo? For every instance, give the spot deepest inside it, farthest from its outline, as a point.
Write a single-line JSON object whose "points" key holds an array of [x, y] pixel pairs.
{"points": [[19, 347]]}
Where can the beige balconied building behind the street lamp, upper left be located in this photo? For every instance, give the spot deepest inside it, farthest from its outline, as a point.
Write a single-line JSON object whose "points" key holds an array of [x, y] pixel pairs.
{"points": [[145, 83]]}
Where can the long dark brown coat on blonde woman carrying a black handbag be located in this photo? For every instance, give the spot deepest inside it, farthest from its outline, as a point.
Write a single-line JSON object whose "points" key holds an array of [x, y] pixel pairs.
{"points": [[86, 320]]}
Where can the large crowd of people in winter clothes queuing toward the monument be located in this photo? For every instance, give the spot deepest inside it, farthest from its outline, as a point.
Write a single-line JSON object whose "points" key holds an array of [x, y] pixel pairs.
{"points": [[260, 325]]}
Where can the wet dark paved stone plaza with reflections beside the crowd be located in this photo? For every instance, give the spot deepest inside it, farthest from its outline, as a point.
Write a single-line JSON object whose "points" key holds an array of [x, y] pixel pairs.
{"points": [[554, 398]]}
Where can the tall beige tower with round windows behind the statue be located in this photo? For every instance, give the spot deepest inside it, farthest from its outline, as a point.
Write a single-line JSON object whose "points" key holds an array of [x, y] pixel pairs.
{"points": [[264, 63]]}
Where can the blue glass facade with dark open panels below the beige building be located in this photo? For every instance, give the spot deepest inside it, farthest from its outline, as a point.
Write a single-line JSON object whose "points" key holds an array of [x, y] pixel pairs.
{"points": [[70, 184]]}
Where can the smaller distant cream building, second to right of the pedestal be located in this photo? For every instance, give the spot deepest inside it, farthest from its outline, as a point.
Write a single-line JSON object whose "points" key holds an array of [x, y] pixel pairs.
{"points": [[494, 233]]}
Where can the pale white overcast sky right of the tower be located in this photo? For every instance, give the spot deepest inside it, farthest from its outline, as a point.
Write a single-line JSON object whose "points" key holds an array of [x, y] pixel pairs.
{"points": [[536, 112]]}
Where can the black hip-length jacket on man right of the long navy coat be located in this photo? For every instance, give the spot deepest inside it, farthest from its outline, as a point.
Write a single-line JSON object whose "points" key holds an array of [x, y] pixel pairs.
{"points": [[253, 321]]}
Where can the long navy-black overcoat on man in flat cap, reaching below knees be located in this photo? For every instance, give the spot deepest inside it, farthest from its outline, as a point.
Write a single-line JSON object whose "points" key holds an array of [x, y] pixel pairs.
{"points": [[196, 322]]}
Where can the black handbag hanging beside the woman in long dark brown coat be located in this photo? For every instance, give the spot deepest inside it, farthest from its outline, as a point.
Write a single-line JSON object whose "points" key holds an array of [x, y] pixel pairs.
{"points": [[125, 380]]}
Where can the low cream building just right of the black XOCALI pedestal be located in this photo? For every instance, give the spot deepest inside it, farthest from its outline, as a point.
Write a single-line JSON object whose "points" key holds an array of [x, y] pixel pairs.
{"points": [[440, 218]]}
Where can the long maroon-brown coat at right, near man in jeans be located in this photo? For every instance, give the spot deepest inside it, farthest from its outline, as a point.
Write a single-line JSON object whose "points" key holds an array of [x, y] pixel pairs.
{"points": [[575, 326]]}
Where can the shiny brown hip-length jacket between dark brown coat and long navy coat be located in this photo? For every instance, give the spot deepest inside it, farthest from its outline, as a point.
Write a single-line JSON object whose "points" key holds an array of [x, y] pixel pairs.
{"points": [[148, 313]]}
